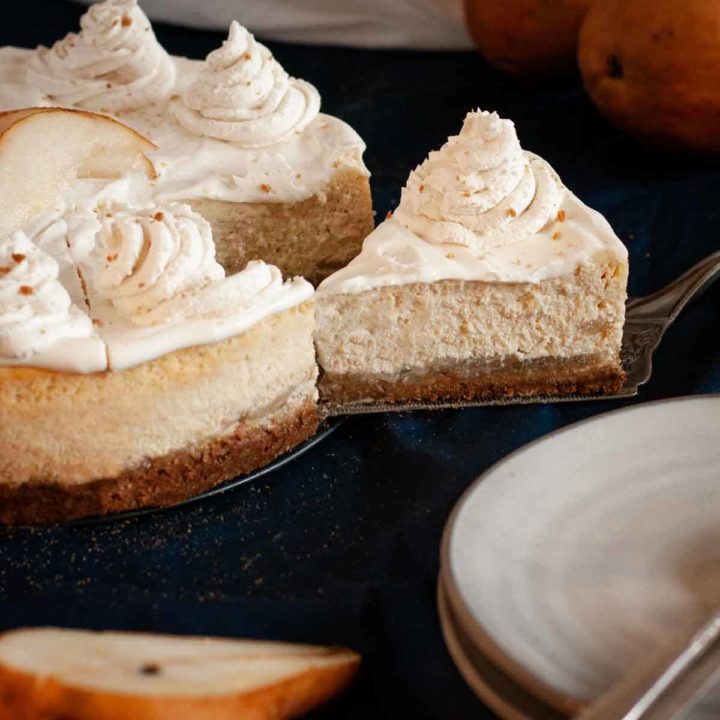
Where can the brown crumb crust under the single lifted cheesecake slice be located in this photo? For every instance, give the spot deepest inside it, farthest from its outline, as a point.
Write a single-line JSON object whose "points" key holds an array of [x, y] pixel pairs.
{"points": [[475, 381]]}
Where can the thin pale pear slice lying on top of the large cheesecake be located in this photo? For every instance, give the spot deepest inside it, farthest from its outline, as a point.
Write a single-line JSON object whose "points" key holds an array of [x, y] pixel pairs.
{"points": [[64, 145]]}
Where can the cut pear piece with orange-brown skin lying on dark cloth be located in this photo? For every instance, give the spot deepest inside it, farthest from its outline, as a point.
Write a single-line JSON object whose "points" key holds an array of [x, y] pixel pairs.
{"points": [[80, 675]]}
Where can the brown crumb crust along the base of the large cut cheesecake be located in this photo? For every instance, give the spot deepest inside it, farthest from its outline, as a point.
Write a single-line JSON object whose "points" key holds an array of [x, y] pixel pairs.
{"points": [[166, 480]]}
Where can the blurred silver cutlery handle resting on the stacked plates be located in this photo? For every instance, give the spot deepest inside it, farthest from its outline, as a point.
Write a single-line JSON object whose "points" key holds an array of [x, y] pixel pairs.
{"points": [[670, 686]]}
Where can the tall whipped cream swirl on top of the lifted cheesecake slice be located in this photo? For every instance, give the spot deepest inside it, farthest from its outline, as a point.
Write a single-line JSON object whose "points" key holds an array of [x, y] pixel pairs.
{"points": [[480, 190]]}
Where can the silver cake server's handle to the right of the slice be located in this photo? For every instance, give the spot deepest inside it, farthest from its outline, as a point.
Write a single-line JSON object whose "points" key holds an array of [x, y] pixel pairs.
{"points": [[665, 305]]}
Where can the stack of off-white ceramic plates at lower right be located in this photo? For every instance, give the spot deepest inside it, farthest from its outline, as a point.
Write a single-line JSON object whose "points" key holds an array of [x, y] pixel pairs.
{"points": [[582, 554]]}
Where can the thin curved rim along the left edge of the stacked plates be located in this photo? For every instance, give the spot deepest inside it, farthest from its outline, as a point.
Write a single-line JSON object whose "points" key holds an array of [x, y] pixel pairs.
{"points": [[504, 661]]}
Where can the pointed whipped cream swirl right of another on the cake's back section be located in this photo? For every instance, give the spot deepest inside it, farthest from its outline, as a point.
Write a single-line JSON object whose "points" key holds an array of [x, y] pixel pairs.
{"points": [[244, 96]]}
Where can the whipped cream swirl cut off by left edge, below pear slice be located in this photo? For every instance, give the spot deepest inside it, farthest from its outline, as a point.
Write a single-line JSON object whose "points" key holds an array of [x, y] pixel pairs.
{"points": [[35, 309]]}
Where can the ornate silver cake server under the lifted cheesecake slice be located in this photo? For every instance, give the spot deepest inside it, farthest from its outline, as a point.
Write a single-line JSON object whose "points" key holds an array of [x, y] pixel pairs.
{"points": [[647, 319]]}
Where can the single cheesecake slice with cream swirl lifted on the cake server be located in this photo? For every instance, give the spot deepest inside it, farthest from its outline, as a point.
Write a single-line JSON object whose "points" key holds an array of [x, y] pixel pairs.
{"points": [[491, 280]]}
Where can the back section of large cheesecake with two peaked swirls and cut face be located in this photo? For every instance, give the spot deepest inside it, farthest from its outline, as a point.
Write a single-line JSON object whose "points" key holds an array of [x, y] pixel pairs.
{"points": [[237, 138]]}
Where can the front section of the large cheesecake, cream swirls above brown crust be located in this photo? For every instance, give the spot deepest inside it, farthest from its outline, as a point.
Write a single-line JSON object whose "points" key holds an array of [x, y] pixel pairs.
{"points": [[165, 376]]}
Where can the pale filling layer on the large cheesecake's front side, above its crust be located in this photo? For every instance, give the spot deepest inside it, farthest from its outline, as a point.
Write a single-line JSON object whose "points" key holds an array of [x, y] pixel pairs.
{"points": [[181, 402]]}
